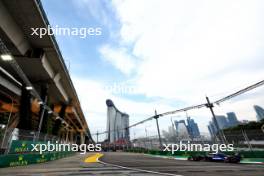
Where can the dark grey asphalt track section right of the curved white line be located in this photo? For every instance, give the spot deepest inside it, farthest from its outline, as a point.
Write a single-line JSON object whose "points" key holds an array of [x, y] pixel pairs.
{"points": [[180, 167]]}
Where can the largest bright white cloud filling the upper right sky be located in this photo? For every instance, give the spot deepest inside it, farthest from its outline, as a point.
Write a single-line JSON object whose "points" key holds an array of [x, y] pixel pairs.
{"points": [[183, 44]]}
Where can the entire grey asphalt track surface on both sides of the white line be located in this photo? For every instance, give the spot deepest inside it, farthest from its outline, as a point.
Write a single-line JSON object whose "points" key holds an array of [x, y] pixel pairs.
{"points": [[126, 164]]}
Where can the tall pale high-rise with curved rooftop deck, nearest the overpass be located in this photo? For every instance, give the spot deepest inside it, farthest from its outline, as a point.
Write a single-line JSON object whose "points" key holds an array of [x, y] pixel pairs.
{"points": [[117, 123]]}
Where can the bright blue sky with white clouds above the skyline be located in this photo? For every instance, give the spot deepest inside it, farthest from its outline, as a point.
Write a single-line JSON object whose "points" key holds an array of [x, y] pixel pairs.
{"points": [[162, 54]]}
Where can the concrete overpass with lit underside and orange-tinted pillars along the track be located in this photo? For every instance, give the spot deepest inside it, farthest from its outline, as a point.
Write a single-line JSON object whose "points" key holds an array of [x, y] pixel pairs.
{"points": [[35, 82]]}
